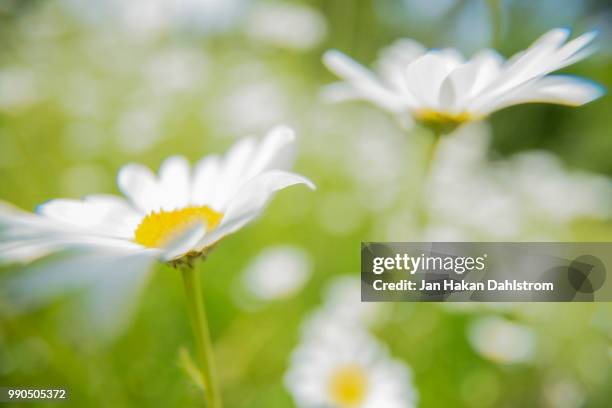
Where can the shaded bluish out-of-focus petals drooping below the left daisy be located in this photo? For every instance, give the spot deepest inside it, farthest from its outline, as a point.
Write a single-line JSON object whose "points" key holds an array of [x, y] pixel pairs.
{"points": [[112, 279]]}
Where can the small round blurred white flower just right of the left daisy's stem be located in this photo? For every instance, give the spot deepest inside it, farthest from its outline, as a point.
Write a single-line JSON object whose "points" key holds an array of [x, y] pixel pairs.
{"points": [[277, 272]]}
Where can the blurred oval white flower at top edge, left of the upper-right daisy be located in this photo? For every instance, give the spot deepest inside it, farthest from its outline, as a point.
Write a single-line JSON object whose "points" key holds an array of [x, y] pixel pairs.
{"points": [[287, 25]]}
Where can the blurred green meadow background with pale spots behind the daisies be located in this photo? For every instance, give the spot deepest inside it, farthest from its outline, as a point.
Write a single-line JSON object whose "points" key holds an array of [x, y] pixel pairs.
{"points": [[86, 86]]}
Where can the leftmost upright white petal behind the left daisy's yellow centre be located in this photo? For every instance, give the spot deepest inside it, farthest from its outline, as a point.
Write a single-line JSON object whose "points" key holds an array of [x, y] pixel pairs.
{"points": [[140, 186]]}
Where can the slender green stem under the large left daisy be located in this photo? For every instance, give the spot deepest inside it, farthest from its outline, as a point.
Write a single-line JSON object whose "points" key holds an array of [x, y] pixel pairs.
{"points": [[197, 314]]}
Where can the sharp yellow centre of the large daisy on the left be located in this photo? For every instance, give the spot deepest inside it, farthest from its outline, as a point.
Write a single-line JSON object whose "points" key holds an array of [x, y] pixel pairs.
{"points": [[160, 227]]}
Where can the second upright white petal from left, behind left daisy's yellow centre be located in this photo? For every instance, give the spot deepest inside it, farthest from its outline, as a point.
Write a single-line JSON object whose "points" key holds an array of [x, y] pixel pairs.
{"points": [[174, 182]]}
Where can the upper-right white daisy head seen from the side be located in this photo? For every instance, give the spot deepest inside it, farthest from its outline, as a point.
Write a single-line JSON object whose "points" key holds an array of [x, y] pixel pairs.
{"points": [[441, 89]]}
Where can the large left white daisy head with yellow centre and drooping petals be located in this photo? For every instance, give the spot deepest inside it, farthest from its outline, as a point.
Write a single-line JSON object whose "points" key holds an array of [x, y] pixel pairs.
{"points": [[175, 216]]}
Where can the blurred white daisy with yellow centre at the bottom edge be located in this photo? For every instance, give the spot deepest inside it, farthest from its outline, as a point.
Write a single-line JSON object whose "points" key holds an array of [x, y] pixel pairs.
{"points": [[347, 369]]}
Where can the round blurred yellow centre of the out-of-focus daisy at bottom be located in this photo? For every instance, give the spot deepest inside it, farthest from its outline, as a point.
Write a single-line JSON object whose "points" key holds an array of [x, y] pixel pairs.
{"points": [[348, 386]]}
